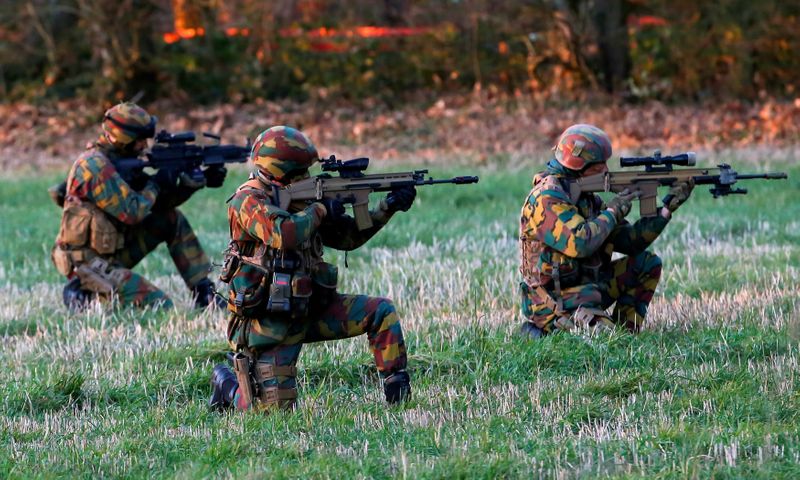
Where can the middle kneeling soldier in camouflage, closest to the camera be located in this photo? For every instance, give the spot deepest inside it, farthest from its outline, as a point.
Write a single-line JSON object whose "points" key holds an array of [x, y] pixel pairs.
{"points": [[281, 292]]}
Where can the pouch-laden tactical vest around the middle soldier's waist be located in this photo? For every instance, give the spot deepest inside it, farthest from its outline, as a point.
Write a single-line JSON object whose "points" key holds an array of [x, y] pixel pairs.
{"points": [[267, 281]]}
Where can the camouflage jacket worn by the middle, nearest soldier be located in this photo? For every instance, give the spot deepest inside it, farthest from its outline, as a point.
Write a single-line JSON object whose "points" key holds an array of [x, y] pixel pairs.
{"points": [[260, 231]]}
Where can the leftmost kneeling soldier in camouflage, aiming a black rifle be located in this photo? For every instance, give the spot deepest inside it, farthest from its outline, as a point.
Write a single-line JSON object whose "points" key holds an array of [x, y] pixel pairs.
{"points": [[108, 226]]}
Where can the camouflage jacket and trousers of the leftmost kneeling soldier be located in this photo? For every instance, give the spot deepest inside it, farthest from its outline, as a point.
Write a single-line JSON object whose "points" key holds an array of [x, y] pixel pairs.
{"points": [[120, 226]]}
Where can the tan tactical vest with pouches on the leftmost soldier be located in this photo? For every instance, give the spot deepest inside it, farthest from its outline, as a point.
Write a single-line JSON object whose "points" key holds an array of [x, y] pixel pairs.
{"points": [[86, 232]]}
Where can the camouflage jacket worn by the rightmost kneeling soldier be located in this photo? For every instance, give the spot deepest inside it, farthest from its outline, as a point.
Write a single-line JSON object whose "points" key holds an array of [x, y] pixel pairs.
{"points": [[574, 238]]}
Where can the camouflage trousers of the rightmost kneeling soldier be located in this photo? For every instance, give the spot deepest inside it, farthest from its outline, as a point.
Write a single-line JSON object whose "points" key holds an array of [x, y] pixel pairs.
{"points": [[630, 282]]}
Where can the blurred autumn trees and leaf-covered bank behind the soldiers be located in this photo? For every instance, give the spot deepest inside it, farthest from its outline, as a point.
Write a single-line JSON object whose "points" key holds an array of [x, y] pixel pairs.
{"points": [[729, 66]]}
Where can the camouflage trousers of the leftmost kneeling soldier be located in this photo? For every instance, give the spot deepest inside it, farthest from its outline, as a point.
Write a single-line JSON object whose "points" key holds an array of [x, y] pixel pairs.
{"points": [[171, 228]]}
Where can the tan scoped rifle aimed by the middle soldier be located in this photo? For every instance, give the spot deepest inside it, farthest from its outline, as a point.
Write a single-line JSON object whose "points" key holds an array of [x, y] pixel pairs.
{"points": [[353, 186]]}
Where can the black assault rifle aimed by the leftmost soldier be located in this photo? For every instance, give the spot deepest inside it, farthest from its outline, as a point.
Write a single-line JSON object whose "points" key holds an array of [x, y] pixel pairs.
{"points": [[178, 152]]}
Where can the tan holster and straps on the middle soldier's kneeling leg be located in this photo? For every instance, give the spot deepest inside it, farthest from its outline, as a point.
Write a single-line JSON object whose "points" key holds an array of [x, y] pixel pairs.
{"points": [[258, 384]]}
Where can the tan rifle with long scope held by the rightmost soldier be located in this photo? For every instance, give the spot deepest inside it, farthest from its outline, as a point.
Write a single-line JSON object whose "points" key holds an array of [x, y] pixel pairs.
{"points": [[659, 172]]}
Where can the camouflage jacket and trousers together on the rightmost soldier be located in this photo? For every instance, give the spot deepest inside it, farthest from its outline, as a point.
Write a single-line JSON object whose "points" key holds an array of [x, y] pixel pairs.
{"points": [[578, 237]]}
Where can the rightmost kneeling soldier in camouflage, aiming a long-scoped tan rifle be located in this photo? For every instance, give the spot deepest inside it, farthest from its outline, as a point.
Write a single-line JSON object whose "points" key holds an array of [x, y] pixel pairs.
{"points": [[566, 244]]}
